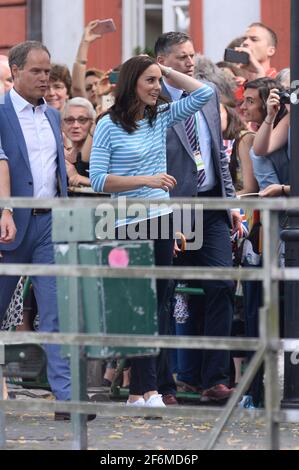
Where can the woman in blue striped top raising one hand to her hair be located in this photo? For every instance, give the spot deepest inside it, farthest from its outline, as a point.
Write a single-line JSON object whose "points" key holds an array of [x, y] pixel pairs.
{"points": [[128, 158]]}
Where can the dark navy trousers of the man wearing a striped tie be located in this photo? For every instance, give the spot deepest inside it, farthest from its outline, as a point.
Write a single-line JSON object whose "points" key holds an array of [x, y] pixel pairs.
{"points": [[216, 251]]}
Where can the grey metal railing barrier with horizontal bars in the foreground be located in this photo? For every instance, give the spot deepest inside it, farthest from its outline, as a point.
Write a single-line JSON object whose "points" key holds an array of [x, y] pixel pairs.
{"points": [[266, 347]]}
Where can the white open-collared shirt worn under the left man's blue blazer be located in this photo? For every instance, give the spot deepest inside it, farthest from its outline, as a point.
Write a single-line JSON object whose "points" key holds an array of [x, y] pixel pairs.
{"points": [[41, 145]]}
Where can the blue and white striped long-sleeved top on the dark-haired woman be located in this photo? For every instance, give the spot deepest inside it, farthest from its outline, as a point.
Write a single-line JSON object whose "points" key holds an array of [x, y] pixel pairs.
{"points": [[141, 153]]}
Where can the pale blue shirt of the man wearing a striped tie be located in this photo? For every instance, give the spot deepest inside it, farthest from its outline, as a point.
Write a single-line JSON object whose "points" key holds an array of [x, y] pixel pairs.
{"points": [[204, 137]]}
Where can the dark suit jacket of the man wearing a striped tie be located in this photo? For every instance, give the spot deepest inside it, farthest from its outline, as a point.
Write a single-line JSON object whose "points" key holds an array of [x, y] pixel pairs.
{"points": [[180, 161]]}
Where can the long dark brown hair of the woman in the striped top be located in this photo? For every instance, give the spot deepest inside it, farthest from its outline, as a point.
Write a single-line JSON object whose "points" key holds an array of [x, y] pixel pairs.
{"points": [[127, 105]]}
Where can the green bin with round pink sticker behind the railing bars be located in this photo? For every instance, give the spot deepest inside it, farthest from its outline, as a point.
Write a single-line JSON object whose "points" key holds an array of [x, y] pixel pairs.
{"points": [[109, 305]]}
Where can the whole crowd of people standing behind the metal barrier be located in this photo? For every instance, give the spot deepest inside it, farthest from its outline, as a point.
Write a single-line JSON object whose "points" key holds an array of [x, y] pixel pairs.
{"points": [[174, 126]]}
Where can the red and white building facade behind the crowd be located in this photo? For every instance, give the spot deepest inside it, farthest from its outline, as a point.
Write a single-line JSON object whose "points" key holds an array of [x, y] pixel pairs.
{"points": [[212, 25]]}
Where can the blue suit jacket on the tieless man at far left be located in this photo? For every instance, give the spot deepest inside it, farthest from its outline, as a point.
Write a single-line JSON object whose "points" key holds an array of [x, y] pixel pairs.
{"points": [[14, 147]]}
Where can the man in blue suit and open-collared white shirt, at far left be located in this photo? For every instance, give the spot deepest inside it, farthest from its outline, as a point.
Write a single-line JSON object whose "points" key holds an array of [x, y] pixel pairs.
{"points": [[32, 143]]}
